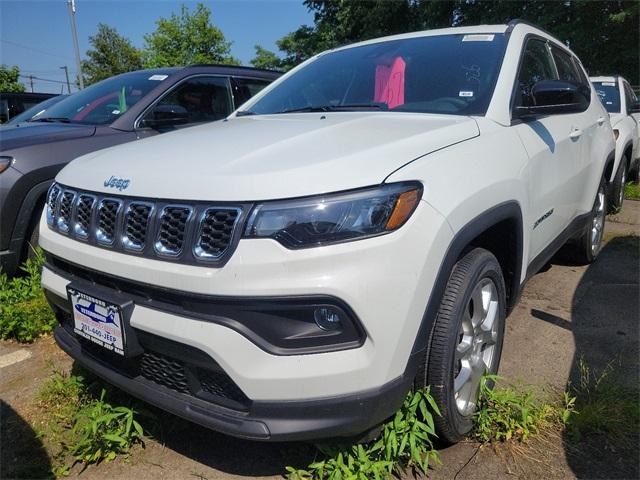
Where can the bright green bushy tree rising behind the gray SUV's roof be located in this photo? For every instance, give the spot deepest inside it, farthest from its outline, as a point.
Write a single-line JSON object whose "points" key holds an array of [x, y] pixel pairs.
{"points": [[187, 39]]}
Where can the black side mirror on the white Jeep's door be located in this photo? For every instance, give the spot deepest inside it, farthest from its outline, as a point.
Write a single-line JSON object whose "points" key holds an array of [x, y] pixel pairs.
{"points": [[549, 97]]}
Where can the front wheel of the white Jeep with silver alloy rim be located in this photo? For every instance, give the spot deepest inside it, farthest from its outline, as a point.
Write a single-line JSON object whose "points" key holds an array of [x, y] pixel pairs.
{"points": [[466, 341]]}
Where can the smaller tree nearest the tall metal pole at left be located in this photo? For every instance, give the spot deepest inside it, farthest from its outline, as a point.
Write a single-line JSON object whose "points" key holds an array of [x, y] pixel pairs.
{"points": [[111, 54]]}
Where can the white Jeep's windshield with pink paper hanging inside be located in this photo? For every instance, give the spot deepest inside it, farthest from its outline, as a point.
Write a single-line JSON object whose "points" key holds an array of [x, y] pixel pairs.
{"points": [[445, 74]]}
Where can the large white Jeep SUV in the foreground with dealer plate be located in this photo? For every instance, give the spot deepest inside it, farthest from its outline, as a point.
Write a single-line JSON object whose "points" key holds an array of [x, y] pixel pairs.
{"points": [[363, 226]]}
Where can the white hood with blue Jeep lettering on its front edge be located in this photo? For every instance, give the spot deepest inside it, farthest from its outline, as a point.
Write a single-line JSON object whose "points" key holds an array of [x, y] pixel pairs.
{"points": [[266, 157]]}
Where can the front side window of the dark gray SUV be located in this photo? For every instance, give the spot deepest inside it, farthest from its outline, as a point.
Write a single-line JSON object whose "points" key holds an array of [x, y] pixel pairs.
{"points": [[204, 98]]}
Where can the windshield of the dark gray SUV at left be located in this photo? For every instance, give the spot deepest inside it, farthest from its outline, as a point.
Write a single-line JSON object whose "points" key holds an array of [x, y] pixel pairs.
{"points": [[105, 101]]}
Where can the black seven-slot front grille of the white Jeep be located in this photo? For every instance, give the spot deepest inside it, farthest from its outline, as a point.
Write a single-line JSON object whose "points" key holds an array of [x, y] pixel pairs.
{"points": [[196, 232]]}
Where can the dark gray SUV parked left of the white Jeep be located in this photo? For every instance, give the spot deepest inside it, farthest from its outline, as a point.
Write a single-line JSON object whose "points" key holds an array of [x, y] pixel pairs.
{"points": [[117, 110]]}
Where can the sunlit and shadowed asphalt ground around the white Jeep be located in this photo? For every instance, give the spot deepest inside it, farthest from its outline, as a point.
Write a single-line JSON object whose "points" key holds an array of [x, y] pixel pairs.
{"points": [[566, 313]]}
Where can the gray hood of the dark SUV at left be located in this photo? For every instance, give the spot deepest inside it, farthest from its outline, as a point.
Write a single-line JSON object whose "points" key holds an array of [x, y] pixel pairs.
{"points": [[25, 134]]}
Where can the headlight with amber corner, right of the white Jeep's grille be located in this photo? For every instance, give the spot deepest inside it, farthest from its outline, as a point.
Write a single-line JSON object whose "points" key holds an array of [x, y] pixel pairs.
{"points": [[334, 218]]}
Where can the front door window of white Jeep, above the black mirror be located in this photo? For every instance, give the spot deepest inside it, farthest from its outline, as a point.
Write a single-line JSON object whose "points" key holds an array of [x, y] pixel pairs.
{"points": [[536, 65]]}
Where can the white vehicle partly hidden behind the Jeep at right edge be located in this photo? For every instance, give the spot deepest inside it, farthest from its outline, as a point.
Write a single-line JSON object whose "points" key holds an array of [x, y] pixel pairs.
{"points": [[621, 102]]}
